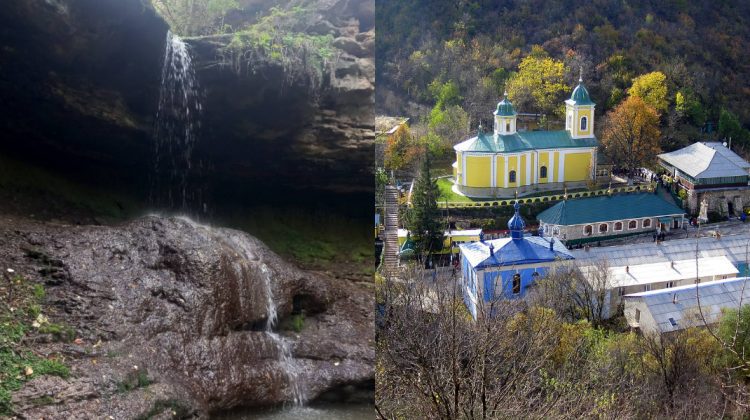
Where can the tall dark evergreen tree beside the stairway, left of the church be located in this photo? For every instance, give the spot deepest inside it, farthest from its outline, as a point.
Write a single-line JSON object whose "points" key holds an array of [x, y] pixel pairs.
{"points": [[423, 219]]}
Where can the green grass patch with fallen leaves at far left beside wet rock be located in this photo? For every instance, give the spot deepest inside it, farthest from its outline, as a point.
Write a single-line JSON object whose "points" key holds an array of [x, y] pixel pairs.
{"points": [[20, 310]]}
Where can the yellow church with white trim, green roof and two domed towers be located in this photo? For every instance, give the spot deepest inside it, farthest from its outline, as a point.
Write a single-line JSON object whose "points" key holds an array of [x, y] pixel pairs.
{"points": [[506, 162]]}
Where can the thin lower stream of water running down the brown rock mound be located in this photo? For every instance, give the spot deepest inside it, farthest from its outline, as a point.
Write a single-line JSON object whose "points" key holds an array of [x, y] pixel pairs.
{"points": [[287, 362]]}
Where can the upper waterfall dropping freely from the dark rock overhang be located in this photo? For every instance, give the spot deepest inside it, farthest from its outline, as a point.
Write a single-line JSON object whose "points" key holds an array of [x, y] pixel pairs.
{"points": [[176, 131]]}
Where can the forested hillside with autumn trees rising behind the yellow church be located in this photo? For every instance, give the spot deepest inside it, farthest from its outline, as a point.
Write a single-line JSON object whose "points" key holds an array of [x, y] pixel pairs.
{"points": [[458, 56]]}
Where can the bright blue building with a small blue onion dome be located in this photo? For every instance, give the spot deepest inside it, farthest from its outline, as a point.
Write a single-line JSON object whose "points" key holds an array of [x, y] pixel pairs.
{"points": [[505, 268]]}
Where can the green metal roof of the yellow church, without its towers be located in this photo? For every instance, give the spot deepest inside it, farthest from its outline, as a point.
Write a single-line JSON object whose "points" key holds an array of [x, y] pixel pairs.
{"points": [[523, 140]]}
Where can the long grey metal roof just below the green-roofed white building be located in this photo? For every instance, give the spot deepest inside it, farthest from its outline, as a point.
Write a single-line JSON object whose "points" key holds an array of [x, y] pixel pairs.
{"points": [[736, 247]]}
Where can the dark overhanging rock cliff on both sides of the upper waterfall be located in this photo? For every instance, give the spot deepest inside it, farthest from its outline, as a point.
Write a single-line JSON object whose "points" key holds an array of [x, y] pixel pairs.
{"points": [[80, 86]]}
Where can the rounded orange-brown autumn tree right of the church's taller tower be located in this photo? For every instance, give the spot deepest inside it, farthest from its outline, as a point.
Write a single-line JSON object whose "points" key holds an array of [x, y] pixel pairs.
{"points": [[631, 134]]}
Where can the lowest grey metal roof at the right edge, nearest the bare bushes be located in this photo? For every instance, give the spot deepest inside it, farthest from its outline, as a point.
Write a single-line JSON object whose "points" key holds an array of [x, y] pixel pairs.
{"points": [[680, 304]]}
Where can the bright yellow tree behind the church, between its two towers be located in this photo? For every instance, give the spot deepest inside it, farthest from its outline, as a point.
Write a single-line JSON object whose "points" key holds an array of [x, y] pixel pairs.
{"points": [[539, 83]]}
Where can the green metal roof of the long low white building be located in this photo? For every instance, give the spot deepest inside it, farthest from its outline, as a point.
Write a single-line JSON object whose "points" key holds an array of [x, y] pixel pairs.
{"points": [[608, 208]]}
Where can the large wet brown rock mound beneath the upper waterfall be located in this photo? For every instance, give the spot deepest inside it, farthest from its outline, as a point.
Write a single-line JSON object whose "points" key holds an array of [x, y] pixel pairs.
{"points": [[174, 315]]}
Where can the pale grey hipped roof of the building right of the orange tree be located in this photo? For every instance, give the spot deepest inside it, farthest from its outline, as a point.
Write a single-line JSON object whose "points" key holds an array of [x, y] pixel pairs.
{"points": [[706, 160]]}
